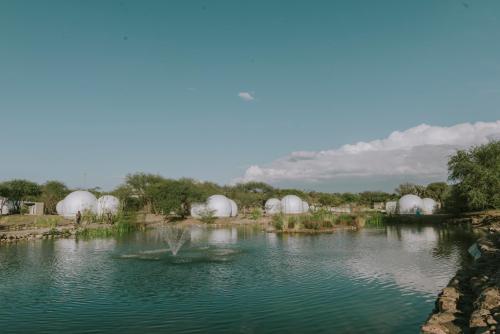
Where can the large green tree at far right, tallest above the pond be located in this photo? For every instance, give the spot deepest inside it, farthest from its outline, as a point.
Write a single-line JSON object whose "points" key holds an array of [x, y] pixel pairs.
{"points": [[476, 174]]}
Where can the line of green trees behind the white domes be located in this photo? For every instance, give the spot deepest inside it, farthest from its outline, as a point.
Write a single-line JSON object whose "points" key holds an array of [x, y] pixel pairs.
{"points": [[474, 184]]}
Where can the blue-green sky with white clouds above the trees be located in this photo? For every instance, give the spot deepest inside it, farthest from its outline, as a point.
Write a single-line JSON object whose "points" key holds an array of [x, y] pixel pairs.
{"points": [[323, 95]]}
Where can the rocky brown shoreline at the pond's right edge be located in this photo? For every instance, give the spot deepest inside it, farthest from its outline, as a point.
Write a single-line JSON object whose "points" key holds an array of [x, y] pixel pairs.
{"points": [[471, 301]]}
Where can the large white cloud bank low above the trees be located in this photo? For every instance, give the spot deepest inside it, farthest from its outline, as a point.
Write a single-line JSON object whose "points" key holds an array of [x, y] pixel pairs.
{"points": [[419, 152]]}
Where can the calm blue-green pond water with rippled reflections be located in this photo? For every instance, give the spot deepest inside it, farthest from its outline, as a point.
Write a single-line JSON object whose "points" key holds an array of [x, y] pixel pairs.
{"points": [[230, 280]]}
